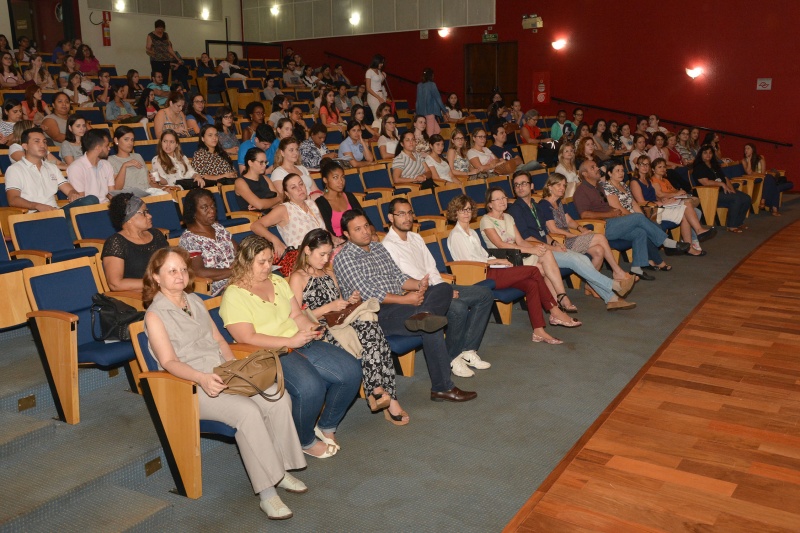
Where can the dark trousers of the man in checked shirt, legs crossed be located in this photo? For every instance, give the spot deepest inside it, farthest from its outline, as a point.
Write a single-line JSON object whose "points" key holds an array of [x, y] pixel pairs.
{"points": [[437, 300]]}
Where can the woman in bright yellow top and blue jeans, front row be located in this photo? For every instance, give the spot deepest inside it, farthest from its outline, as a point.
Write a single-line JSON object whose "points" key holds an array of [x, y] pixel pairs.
{"points": [[260, 308]]}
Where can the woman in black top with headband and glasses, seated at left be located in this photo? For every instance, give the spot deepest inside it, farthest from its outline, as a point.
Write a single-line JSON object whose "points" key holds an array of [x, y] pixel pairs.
{"points": [[127, 252]]}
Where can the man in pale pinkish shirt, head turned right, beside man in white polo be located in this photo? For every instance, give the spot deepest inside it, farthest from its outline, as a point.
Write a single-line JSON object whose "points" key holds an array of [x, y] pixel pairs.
{"points": [[91, 173]]}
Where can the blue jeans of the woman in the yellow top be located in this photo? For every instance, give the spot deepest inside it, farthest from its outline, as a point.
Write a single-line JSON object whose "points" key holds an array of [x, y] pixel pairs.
{"points": [[316, 374]]}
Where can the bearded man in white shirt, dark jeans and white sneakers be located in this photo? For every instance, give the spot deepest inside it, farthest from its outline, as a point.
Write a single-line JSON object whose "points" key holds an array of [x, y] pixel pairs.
{"points": [[471, 305]]}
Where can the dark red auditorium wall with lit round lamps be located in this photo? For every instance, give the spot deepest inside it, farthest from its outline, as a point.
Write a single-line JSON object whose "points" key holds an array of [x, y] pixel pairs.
{"points": [[626, 57]]}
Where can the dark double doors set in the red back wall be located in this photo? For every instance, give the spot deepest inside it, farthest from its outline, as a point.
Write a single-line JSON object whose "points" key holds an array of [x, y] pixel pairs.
{"points": [[489, 66]]}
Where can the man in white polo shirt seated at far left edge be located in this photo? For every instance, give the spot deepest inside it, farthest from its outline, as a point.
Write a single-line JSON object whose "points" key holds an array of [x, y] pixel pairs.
{"points": [[32, 182]]}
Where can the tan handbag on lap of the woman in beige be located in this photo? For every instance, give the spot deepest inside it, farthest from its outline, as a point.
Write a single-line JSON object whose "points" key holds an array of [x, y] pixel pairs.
{"points": [[254, 374]]}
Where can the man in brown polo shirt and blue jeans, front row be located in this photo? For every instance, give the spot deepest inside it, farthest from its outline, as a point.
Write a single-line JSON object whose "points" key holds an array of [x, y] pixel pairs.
{"points": [[635, 227]]}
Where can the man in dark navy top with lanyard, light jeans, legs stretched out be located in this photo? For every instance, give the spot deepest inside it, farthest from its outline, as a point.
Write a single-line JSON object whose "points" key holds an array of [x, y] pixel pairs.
{"points": [[531, 226]]}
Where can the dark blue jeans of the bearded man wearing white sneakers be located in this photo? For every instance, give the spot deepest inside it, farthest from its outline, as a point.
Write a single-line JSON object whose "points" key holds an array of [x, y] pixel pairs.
{"points": [[467, 318]]}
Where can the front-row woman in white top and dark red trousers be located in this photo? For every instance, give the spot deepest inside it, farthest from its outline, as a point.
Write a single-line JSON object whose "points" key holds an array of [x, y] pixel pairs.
{"points": [[465, 245]]}
